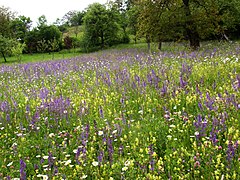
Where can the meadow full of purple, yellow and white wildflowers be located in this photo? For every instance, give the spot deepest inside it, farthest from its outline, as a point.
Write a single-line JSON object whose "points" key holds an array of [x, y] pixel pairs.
{"points": [[122, 114]]}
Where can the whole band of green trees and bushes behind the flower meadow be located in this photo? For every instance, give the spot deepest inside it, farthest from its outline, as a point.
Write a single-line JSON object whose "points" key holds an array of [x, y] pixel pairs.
{"points": [[113, 23]]}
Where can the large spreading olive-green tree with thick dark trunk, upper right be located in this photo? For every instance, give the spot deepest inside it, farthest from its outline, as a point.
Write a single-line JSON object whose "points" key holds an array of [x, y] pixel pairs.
{"points": [[193, 20]]}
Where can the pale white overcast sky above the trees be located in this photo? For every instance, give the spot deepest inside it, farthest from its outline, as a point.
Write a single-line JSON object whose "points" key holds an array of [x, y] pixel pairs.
{"points": [[52, 9]]}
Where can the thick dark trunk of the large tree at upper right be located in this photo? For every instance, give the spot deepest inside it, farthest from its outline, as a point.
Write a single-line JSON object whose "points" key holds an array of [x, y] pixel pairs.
{"points": [[191, 28]]}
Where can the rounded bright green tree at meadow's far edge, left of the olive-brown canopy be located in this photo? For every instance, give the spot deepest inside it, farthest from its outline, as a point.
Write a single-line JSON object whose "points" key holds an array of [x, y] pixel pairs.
{"points": [[100, 27]]}
